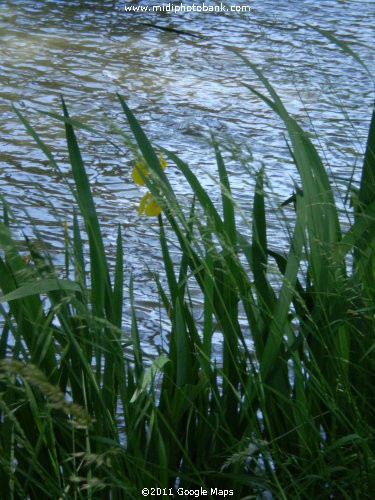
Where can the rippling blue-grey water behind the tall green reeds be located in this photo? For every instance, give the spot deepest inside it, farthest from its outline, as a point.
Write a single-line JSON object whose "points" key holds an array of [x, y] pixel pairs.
{"points": [[182, 83]]}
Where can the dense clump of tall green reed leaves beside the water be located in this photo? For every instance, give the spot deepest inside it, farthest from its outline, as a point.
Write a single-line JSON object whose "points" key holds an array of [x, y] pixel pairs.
{"points": [[81, 417]]}
